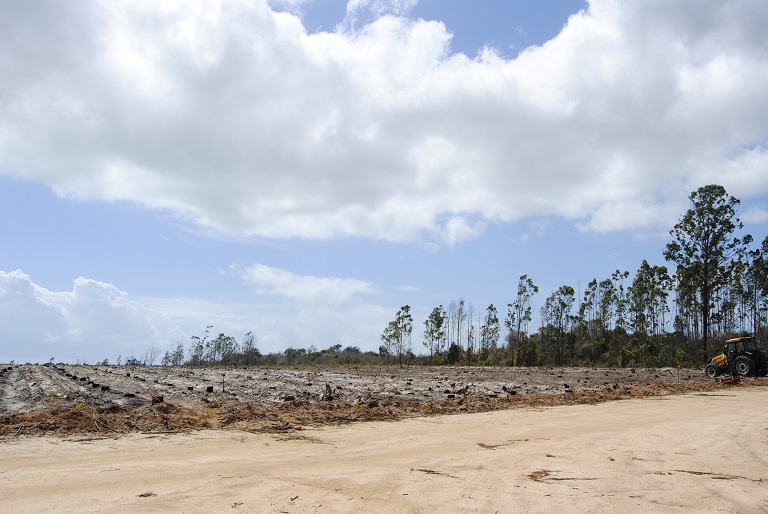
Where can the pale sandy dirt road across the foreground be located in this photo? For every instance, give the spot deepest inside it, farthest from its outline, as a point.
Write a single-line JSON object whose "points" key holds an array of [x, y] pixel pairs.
{"points": [[703, 451]]}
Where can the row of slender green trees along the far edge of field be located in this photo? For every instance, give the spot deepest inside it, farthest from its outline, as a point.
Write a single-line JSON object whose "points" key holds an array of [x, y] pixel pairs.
{"points": [[717, 289]]}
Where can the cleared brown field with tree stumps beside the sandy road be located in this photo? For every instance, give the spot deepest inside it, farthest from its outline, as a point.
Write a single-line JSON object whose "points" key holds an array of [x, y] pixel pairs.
{"points": [[65, 399]]}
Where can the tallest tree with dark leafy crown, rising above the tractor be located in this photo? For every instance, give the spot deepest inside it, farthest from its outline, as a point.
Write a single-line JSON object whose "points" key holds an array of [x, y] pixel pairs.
{"points": [[704, 245]]}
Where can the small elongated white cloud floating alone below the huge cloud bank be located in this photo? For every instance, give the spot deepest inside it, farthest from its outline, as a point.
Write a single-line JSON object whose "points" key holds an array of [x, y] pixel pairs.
{"points": [[307, 288]]}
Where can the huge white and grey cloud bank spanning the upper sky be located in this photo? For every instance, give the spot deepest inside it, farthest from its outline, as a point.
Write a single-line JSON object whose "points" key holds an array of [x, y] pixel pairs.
{"points": [[231, 116]]}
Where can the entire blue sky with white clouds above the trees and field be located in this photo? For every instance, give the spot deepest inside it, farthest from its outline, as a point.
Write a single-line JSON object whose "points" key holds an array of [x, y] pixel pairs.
{"points": [[301, 169]]}
